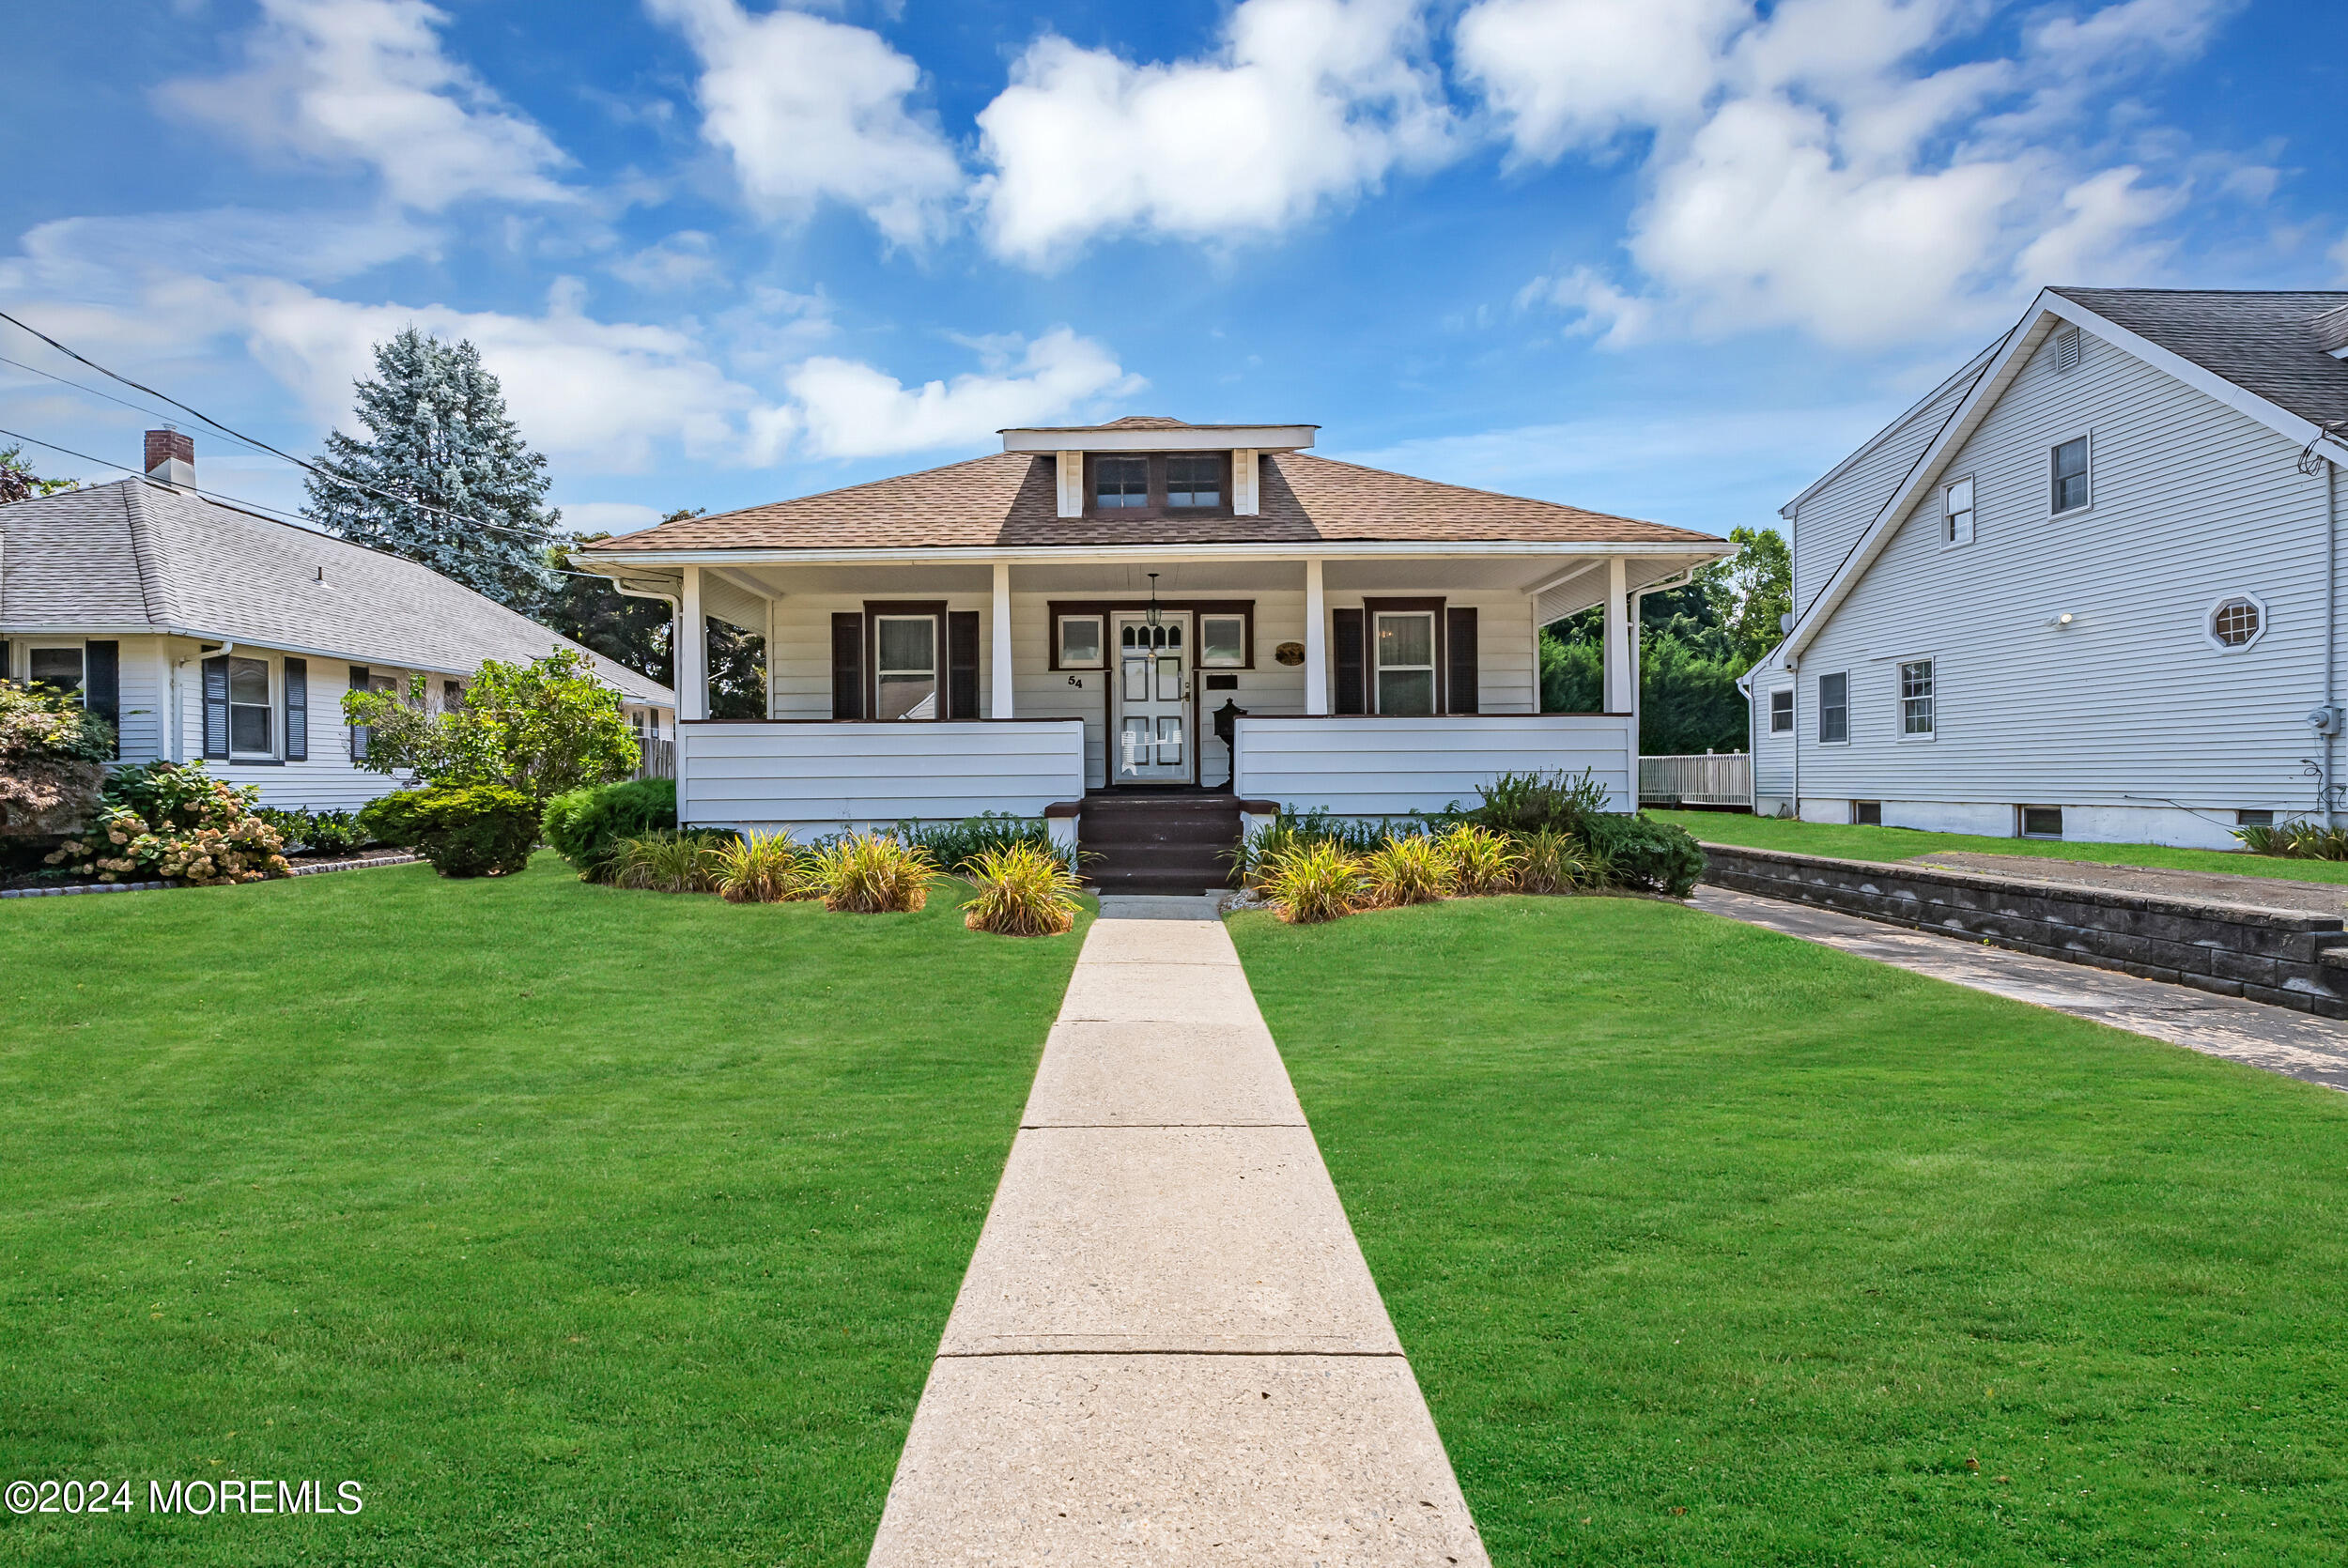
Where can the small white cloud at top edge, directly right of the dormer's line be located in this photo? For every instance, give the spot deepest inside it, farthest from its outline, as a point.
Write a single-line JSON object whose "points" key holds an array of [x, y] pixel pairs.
{"points": [[1581, 72]]}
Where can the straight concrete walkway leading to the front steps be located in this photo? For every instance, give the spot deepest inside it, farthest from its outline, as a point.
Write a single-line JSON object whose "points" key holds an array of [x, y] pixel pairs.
{"points": [[1168, 1349]]}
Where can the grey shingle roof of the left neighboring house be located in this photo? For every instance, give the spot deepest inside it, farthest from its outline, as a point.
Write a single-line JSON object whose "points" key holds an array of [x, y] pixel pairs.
{"points": [[140, 555]]}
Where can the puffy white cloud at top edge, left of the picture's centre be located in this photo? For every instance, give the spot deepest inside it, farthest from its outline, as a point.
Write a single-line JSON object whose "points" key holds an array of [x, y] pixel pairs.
{"points": [[816, 111]]}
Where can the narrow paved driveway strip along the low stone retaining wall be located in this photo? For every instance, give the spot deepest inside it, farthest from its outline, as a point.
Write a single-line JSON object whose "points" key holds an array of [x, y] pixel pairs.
{"points": [[2274, 1039]]}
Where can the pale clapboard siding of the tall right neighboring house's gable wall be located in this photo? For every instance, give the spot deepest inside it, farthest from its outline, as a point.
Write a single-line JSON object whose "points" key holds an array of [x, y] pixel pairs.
{"points": [[2128, 708]]}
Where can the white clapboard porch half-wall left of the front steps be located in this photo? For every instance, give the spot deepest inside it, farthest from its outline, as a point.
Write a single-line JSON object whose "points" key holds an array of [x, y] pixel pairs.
{"points": [[818, 778]]}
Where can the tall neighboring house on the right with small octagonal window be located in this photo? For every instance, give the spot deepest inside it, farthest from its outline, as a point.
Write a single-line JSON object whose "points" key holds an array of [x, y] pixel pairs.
{"points": [[2089, 588]]}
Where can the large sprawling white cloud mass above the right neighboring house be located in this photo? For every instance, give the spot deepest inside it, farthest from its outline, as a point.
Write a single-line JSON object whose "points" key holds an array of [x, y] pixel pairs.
{"points": [[1807, 170]]}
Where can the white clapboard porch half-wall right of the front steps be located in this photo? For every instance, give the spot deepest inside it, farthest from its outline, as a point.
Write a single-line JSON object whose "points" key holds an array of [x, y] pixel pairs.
{"points": [[1396, 766]]}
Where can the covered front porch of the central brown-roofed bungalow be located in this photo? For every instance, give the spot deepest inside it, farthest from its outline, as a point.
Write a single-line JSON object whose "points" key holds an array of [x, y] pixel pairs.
{"points": [[1358, 682]]}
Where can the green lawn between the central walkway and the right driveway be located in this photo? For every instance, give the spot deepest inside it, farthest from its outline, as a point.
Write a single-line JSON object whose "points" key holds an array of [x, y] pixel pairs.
{"points": [[1718, 1248]]}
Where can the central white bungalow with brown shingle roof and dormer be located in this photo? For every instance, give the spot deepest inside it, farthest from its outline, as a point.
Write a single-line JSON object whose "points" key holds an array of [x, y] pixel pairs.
{"points": [[1145, 611]]}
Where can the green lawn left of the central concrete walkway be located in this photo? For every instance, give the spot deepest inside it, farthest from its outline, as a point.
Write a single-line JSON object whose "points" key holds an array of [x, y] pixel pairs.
{"points": [[579, 1226]]}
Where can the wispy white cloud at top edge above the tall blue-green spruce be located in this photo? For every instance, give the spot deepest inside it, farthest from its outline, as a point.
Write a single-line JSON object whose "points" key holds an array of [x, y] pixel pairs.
{"points": [[367, 81]]}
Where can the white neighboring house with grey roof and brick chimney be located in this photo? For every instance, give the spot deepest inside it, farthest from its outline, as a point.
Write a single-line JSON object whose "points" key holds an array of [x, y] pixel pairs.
{"points": [[210, 633]]}
